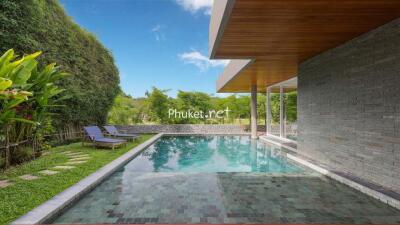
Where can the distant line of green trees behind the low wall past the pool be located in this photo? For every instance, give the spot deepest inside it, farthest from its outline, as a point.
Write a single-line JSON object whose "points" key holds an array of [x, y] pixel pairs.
{"points": [[155, 106]]}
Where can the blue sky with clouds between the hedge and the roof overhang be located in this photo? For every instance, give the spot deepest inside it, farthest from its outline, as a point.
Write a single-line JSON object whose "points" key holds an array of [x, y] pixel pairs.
{"points": [[161, 43]]}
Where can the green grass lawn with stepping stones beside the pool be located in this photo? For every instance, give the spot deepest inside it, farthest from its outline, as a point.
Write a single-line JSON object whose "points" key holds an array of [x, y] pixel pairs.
{"points": [[23, 196]]}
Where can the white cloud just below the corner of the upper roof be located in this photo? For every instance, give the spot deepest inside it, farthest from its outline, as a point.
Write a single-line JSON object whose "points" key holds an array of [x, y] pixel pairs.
{"points": [[201, 61]]}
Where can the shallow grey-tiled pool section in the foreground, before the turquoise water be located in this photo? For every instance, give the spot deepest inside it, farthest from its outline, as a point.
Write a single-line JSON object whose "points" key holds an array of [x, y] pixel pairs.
{"points": [[129, 197]]}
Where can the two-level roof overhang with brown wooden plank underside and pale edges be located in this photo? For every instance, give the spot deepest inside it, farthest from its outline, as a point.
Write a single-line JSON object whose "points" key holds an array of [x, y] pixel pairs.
{"points": [[270, 38]]}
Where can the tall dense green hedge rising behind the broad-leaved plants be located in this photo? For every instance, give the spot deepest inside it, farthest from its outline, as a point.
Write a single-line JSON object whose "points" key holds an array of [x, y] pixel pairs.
{"points": [[28, 26]]}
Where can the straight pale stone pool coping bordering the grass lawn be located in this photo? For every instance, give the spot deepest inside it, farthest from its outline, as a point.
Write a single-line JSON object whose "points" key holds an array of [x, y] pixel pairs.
{"points": [[56, 204]]}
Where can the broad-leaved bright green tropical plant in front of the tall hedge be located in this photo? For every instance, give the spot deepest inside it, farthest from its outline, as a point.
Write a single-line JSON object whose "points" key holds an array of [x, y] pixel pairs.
{"points": [[26, 95]]}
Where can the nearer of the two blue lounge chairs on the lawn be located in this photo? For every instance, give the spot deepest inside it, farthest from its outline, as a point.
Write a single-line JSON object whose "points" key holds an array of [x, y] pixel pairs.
{"points": [[94, 134]]}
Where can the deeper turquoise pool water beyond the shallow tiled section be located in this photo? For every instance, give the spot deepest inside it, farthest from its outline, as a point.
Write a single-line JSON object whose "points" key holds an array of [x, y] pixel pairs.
{"points": [[211, 154]]}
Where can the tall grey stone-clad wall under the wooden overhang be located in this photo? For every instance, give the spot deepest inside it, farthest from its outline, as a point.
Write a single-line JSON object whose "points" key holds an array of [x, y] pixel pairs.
{"points": [[349, 106]]}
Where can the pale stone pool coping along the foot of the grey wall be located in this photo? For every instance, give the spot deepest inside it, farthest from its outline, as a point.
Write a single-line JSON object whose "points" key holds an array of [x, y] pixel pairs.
{"points": [[337, 177]]}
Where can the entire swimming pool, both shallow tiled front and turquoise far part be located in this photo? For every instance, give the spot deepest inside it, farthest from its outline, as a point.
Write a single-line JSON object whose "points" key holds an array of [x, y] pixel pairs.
{"points": [[222, 179]]}
